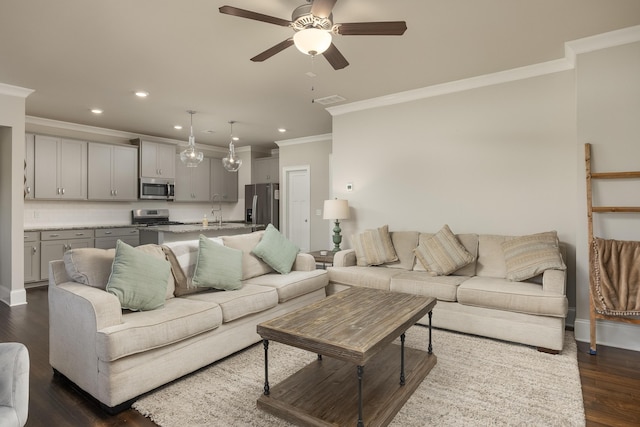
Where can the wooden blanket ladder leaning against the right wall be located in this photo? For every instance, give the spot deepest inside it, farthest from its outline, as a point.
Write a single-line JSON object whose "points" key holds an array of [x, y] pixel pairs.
{"points": [[593, 315]]}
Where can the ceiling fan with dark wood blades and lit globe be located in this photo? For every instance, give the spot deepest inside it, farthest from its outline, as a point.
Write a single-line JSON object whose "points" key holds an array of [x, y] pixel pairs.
{"points": [[313, 26]]}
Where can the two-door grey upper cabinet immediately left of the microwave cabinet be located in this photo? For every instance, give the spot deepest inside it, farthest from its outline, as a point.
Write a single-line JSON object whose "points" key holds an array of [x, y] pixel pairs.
{"points": [[113, 172]]}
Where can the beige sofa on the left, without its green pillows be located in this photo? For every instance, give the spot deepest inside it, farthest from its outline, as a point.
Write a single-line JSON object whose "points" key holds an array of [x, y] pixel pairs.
{"points": [[116, 355]]}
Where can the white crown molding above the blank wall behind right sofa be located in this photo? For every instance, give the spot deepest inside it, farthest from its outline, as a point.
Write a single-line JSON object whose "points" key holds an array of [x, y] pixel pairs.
{"points": [[572, 49]]}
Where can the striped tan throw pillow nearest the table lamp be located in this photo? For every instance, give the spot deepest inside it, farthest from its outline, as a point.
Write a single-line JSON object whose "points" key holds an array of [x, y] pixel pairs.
{"points": [[374, 247]]}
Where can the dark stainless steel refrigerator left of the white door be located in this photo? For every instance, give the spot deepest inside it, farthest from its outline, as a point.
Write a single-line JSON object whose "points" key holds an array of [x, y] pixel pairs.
{"points": [[262, 204]]}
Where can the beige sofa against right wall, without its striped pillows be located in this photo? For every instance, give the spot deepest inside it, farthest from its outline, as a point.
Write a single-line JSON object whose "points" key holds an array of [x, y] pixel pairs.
{"points": [[477, 298]]}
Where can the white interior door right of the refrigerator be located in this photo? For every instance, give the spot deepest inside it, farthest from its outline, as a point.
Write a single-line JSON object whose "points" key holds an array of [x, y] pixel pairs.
{"points": [[297, 207]]}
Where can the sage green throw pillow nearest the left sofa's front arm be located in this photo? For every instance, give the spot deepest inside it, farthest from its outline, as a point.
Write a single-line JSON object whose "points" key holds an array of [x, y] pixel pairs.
{"points": [[138, 279]]}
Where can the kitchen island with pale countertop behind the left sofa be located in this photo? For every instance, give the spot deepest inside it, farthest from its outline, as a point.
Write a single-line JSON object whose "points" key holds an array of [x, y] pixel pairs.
{"points": [[160, 234]]}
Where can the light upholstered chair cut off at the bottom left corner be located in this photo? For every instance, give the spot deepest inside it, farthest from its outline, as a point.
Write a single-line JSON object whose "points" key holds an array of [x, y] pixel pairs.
{"points": [[14, 384]]}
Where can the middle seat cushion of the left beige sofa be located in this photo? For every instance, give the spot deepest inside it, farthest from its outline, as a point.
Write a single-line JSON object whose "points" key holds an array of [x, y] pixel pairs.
{"points": [[249, 299]]}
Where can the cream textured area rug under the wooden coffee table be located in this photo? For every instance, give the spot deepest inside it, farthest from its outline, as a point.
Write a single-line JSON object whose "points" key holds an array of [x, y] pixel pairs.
{"points": [[476, 382]]}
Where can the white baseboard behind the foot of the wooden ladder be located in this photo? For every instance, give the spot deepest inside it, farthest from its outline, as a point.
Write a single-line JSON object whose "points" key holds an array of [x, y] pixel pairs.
{"points": [[613, 334]]}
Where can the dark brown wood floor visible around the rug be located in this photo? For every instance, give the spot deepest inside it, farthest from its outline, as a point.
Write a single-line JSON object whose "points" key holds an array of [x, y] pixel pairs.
{"points": [[610, 380]]}
